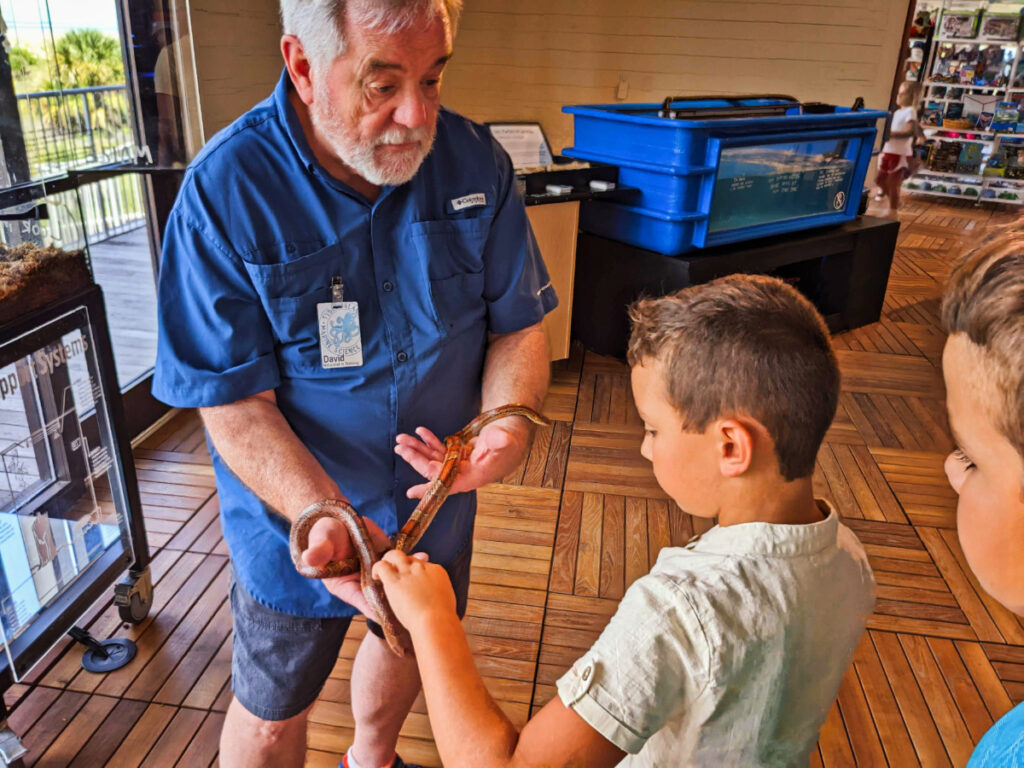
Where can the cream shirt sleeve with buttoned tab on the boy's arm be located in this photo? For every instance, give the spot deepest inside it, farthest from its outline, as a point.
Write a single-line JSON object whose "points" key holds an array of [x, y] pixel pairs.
{"points": [[652, 662]]}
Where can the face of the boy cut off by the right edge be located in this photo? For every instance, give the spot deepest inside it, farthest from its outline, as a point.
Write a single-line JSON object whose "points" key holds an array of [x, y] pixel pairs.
{"points": [[987, 473]]}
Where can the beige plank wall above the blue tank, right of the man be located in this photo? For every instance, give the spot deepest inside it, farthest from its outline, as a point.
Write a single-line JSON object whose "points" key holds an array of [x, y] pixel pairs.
{"points": [[525, 61]]}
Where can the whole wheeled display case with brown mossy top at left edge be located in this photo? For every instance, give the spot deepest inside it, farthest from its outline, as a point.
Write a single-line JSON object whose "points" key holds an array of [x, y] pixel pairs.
{"points": [[71, 521]]}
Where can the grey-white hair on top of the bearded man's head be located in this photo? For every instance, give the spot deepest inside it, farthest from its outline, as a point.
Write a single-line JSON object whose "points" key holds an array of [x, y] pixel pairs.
{"points": [[320, 25]]}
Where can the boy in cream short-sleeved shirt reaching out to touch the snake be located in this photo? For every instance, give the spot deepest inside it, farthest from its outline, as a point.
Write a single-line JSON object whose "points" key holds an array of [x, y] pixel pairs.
{"points": [[732, 651]]}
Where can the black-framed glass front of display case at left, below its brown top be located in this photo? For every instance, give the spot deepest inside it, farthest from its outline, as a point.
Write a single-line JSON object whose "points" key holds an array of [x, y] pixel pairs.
{"points": [[70, 514]]}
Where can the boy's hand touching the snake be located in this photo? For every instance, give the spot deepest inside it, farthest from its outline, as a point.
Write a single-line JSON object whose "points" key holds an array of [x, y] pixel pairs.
{"points": [[417, 590]]}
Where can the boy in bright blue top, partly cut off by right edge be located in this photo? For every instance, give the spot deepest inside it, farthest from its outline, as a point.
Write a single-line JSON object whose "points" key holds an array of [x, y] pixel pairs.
{"points": [[984, 367]]}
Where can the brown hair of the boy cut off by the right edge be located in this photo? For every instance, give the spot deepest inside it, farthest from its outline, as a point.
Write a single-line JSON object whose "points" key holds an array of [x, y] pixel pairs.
{"points": [[985, 300]]}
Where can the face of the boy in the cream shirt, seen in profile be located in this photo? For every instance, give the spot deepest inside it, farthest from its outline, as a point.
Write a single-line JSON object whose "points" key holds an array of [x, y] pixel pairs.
{"points": [[685, 462]]}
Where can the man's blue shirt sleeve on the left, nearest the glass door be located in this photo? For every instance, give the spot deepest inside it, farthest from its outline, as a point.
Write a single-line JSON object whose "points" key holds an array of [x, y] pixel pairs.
{"points": [[215, 344]]}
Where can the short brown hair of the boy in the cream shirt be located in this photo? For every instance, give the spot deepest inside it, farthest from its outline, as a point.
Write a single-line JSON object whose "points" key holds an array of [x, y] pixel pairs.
{"points": [[745, 345]]}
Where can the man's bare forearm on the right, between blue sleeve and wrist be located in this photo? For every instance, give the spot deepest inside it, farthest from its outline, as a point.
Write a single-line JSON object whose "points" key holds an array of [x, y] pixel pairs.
{"points": [[517, 369]]}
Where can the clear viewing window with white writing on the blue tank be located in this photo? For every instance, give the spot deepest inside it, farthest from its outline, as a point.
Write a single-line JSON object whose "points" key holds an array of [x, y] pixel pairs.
{"points": [[777, 183]]}
